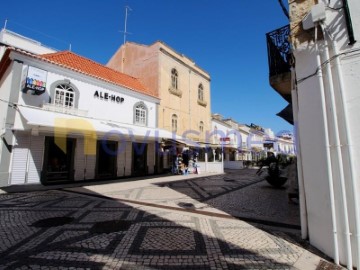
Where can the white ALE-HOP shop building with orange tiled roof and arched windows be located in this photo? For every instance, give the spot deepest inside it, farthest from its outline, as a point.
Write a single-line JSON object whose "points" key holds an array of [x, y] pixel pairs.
{"points": [[67, 118]]}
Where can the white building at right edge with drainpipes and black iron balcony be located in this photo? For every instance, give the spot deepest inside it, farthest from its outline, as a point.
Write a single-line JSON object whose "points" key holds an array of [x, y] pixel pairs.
{"points": [[323, 86]]}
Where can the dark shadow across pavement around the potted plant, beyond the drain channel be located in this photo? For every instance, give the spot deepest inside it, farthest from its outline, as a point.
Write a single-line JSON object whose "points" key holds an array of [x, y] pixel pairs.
{"points": [[242, 194]]}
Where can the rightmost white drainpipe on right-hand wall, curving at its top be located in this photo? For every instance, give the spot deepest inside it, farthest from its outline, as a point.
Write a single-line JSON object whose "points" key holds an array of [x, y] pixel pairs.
{"points": [[348, 145]]}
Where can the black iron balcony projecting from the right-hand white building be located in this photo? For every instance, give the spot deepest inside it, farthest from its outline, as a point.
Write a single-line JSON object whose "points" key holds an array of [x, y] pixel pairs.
{"points": [[279, 57]]}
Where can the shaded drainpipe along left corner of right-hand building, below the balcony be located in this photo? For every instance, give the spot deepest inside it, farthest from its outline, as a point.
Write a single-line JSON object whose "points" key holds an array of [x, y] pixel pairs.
{"points": [[303, 211]]}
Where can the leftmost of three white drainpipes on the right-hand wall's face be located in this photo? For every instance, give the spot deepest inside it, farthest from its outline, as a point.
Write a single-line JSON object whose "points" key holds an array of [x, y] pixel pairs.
{"points": [[327, 151]]}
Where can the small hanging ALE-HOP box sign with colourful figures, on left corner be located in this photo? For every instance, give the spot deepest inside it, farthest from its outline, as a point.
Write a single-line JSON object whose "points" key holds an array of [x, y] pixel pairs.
{"points": [[35, 81]]}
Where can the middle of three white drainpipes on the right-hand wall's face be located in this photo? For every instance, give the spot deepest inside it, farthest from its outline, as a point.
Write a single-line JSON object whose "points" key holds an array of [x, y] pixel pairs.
{"points": [[334, 121]]}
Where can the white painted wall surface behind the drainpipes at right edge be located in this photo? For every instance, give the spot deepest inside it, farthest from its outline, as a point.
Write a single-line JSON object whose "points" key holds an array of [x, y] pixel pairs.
{"points": [[312, 134]]}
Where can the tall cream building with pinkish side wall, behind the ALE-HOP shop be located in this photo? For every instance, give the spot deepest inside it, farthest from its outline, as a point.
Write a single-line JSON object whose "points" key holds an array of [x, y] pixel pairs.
{"points": [[182, 86]]}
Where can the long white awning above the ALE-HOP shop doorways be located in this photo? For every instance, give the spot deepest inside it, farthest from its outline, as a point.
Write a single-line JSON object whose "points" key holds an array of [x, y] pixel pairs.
{"points": [[60, 122]]}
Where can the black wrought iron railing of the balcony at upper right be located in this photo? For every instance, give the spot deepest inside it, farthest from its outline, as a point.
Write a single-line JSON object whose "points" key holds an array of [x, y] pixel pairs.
{"points": [[279, 53]]}
